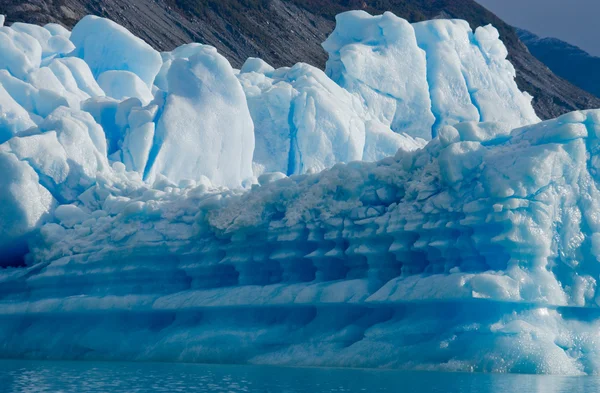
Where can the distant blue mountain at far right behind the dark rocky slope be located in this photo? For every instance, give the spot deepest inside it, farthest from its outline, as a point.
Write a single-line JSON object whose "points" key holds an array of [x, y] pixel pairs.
{"points": [[565, 60]]}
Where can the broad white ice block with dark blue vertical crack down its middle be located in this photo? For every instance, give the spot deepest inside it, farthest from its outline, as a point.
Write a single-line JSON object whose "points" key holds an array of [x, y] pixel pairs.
{"points": [[303, 121]]}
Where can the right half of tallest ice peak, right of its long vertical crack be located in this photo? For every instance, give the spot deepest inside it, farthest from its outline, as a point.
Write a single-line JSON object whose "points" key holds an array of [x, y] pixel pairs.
{"points": [[468, 81]]}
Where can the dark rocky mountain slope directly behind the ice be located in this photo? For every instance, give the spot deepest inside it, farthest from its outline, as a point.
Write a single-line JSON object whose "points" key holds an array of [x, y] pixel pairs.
{"points": [[284, 32]]}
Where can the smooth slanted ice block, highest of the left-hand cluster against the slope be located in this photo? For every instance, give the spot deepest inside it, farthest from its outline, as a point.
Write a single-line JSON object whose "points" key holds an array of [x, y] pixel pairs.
{"points": [[105, 46]]}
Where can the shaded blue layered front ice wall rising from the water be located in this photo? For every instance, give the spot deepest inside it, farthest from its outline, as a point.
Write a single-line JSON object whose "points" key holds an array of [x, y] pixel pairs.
{"points": [[493, 229]]}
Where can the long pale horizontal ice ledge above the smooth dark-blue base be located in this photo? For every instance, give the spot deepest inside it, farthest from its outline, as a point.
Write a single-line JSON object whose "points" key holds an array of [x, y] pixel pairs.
{"points": [[415, 289]]}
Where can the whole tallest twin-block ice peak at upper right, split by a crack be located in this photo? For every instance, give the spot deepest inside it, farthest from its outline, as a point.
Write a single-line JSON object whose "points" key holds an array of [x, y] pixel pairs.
{"points": [[417, 78]]}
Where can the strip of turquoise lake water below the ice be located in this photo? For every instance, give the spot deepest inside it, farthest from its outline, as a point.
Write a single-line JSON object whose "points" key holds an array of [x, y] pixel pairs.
{"points": [[97, 377]]}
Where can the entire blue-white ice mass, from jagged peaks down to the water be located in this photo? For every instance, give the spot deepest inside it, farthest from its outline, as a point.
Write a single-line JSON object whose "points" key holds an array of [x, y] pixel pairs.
{"points": [[405, 209]]}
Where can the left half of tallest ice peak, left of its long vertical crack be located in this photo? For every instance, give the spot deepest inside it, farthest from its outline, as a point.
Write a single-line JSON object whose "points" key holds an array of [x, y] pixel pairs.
{"points": [[378, 58]]}
